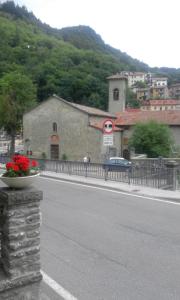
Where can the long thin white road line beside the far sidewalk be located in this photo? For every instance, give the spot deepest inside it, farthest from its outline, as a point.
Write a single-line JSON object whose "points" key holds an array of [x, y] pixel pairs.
{"points": [[114, 191]]}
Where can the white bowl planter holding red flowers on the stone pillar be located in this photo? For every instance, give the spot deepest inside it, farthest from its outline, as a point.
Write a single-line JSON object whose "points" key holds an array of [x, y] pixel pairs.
{"points": [[19, 182]]}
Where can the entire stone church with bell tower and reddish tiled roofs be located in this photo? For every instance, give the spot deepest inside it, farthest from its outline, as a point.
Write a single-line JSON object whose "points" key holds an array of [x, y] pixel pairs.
{"points": [[56, 128]]}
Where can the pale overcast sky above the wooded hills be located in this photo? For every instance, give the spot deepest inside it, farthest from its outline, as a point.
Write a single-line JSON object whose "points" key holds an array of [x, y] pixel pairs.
{"points": [[145, 29]]}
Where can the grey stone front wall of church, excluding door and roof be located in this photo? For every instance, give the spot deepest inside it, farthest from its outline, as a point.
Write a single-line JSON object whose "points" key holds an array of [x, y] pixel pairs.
{"points": [[76, 137]]}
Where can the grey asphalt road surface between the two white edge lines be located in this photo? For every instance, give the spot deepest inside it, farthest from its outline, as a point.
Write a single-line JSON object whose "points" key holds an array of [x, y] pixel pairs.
{"points": [[102, 245]]}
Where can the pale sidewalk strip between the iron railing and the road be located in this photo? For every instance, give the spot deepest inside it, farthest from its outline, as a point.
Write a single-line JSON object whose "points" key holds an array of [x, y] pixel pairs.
{"points": [[120, 186]]}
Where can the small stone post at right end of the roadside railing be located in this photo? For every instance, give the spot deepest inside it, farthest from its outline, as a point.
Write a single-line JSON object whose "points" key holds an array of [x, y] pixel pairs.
{"points": [[172, 173]]}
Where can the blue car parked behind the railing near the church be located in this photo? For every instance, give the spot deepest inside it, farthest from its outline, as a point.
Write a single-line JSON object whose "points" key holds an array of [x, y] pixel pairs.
{"points": [[117, 164]]}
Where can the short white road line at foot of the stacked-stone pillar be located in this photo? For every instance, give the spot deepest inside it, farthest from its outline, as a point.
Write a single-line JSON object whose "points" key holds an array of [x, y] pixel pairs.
{"points": [[57, 287]]}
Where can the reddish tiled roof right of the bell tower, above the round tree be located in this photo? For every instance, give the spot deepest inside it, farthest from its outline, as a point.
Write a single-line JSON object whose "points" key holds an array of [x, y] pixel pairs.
{"points": [[127, 118]]}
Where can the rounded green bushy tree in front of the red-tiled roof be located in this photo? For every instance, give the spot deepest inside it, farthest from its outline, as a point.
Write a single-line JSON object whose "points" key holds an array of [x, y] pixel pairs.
{"points": [[151, 138]]}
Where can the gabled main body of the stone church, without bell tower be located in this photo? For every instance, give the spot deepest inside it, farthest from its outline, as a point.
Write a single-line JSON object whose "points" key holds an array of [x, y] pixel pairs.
{"points": [[58, 129]]}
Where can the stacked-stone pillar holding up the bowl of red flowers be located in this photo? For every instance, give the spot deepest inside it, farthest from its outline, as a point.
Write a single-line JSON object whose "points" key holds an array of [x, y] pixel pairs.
{"points": [[20, 244]]}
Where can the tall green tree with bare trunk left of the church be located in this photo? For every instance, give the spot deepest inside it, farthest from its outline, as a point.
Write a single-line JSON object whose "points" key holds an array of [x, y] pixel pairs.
{"points": [[17, 95]]}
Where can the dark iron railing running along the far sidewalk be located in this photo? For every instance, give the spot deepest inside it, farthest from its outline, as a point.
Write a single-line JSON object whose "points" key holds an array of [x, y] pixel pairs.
{"points": [[157, 173]]}
